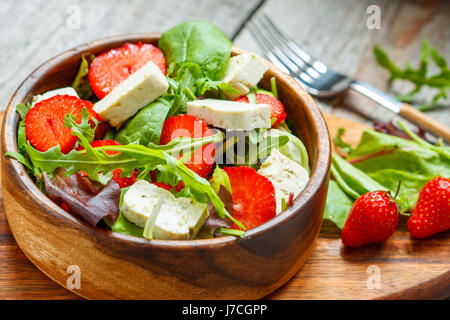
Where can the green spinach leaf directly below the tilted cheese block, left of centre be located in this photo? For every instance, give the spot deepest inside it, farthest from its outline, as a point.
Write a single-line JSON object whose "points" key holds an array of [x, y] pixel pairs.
{"points": [[146, 126]]}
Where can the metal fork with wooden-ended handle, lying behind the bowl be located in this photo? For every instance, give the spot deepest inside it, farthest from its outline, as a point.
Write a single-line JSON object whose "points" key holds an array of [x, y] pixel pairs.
{"points": [[321, 81]]}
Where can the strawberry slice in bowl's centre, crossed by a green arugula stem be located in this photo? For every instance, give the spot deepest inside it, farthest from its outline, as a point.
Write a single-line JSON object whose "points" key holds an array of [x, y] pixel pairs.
{"points": [[189, 126]]}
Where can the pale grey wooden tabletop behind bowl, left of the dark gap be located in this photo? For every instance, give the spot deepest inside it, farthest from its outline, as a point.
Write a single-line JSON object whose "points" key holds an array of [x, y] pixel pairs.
{"points": [[33, 31]]}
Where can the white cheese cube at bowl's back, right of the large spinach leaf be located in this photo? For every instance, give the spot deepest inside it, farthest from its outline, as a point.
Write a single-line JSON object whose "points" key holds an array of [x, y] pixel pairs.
{"points": [[244, 71]]}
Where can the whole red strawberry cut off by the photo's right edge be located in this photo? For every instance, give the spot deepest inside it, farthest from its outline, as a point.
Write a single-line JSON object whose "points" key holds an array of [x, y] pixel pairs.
{"points": [[432, 212]]}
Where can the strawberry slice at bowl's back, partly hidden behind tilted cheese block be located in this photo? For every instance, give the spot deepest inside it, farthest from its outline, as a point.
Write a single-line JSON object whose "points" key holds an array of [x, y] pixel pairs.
{"points": [[112, 67]]}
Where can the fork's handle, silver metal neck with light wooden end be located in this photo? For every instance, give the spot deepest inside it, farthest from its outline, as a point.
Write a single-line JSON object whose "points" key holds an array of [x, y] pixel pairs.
{"points": [[403, 109]]}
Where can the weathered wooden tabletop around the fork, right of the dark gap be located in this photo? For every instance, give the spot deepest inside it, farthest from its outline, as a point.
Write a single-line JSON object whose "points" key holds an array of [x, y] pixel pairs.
{"points": [[335, 32]]}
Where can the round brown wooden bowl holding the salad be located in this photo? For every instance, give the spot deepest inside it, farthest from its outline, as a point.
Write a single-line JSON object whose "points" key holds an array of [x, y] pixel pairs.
{"points": [[114, 266]]}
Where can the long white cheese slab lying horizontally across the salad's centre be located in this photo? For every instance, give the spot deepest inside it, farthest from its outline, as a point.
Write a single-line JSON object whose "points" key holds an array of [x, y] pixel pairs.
{"points": [[230, 114]]}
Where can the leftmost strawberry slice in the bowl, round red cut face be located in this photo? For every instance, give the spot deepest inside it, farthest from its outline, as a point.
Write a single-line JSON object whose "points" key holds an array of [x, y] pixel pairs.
{"points": [[44, 123]]}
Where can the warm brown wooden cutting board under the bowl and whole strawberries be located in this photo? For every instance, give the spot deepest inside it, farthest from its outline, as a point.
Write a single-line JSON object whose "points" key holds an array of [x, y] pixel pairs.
{"points": [[400, 268]]}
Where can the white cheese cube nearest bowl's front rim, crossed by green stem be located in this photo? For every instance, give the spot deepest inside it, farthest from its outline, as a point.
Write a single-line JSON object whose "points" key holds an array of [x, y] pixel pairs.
{"points": [[178, 219]]}
